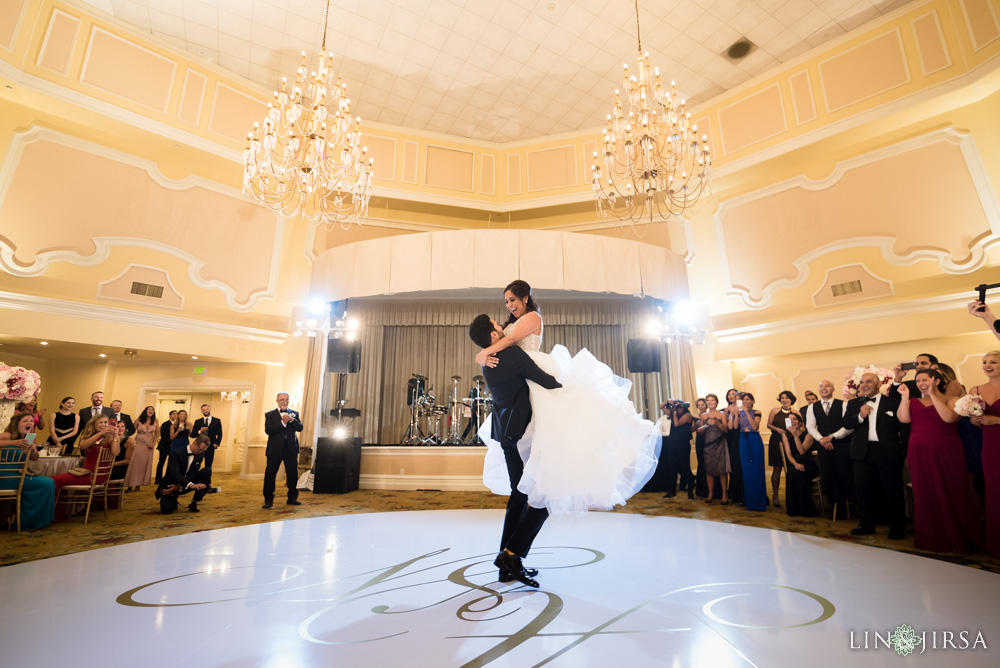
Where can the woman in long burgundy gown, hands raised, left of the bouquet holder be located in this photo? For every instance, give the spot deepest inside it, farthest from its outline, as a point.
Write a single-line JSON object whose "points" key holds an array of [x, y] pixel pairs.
{"points": [[945, 517]]}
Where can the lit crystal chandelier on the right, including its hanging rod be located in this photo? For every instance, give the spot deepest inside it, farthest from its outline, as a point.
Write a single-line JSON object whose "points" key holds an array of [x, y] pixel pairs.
{"points": [[654, 163]]}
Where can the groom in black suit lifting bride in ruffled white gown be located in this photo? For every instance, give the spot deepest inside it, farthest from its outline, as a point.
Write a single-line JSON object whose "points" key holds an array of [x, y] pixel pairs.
{"points": [[564, 437]]}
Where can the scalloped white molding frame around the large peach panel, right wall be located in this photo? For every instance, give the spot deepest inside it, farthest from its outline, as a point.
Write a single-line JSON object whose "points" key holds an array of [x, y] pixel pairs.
{"points": [[977, 250]]}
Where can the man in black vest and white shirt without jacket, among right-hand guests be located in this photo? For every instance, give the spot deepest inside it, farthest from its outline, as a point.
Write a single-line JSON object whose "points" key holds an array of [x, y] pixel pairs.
{"points": [[825, 422]]}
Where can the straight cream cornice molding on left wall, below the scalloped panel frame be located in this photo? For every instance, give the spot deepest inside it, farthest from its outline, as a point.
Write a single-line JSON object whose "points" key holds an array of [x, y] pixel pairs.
{"points": [[119, 316]]}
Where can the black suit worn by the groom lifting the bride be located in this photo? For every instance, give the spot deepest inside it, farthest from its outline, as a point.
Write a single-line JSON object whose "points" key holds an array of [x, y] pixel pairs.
{"points": [[511, 415]]}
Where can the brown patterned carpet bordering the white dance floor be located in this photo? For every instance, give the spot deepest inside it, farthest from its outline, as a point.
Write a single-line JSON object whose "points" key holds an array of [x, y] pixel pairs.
{"points": [[239, 504]]}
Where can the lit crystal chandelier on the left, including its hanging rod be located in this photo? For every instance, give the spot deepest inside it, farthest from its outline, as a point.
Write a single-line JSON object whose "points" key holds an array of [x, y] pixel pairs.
{"points": [[307, 159]]}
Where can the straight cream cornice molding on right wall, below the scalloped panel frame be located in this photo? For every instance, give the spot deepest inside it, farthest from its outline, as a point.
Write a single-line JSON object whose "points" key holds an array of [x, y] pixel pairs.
{"points": [[855, 315]]}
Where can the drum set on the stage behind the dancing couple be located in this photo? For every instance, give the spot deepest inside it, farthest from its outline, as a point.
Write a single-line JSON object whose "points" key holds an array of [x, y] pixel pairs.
{"points": [[440, 424]]}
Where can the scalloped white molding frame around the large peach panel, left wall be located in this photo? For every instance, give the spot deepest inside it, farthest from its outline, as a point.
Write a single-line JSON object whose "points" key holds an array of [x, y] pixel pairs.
{"points": [[104, 244]]}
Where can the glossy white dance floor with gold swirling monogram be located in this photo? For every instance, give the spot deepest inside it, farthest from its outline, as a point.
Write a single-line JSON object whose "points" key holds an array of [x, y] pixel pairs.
{"points": [[419, 589]]}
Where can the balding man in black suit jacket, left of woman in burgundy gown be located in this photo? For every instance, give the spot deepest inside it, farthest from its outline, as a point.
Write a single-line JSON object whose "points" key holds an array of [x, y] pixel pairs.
{"points": [[878, 450]]}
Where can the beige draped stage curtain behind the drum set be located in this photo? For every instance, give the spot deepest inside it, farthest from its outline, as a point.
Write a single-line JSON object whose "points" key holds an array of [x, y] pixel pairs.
{"points": [[430, 338]]}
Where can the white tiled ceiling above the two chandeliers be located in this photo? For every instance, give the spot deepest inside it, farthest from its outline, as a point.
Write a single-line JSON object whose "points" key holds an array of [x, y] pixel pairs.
{"points": [[496, 70]]}
